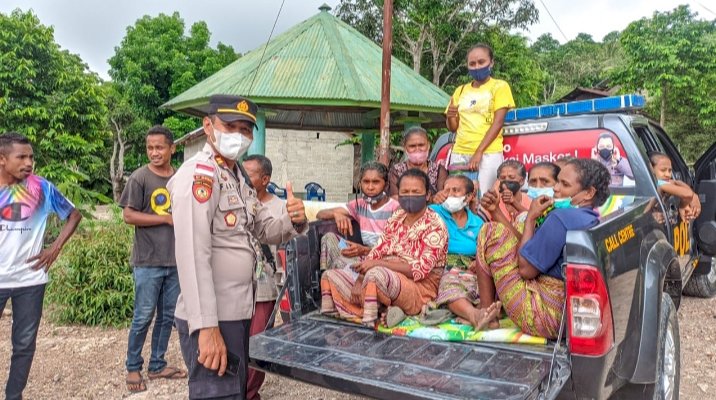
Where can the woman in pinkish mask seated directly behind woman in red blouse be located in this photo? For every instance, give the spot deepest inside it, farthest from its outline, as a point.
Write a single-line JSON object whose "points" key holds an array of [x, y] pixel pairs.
{"points": [[417, 148]]}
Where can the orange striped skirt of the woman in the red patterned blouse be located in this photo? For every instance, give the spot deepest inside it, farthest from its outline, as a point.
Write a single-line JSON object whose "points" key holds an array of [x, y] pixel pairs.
{"points": [[359, 300]]}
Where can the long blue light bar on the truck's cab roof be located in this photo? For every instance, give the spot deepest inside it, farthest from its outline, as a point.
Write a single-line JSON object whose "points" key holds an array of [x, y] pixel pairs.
{"points": [[606, 104]]}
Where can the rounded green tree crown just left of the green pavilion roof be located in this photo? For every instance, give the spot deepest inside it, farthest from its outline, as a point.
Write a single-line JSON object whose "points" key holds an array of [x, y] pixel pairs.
{"points": [[156, 61]]}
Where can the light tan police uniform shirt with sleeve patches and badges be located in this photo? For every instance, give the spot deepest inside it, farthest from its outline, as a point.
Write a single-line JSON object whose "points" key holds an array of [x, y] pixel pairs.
{"points": [[214, 213]]}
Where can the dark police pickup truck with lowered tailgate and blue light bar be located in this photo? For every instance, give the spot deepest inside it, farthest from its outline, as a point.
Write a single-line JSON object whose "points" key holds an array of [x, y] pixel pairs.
{"points": [[630, 270]]}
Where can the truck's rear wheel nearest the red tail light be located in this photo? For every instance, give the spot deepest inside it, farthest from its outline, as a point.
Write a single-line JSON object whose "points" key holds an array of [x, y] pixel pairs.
{"points": [[668, 364]]}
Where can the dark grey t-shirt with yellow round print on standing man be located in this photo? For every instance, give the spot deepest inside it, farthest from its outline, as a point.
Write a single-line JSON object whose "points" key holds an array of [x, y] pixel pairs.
{"points": [[146, 192]]}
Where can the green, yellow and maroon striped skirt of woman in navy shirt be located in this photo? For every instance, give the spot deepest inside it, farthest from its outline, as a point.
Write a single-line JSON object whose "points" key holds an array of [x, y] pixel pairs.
{"points": [[534, 305]]}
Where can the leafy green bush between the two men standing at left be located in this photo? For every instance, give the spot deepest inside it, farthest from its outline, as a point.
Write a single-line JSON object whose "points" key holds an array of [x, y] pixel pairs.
{"points": [[91, 283]]}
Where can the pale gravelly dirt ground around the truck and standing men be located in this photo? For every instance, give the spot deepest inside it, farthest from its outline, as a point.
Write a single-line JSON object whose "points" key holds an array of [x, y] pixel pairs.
{"points": [[88, 363]]}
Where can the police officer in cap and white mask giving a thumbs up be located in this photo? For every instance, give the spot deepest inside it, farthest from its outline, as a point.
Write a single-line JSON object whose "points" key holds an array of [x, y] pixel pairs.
{"points": [[215, 212]]}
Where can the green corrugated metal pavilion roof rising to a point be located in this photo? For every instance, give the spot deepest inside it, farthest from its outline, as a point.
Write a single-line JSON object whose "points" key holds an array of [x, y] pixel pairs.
{"points": [[320, 64]]}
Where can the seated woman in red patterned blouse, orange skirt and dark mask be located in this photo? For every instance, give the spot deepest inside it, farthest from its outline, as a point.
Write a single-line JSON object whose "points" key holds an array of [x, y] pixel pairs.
{"points": [[402, 270]]}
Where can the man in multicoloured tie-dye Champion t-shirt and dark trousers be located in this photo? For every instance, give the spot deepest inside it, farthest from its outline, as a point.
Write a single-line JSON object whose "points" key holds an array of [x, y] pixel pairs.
{"points": [[26, 200]]}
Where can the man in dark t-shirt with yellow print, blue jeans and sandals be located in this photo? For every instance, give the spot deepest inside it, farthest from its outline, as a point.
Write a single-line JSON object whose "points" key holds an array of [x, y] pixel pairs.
{"points": [[146, 205]]}
